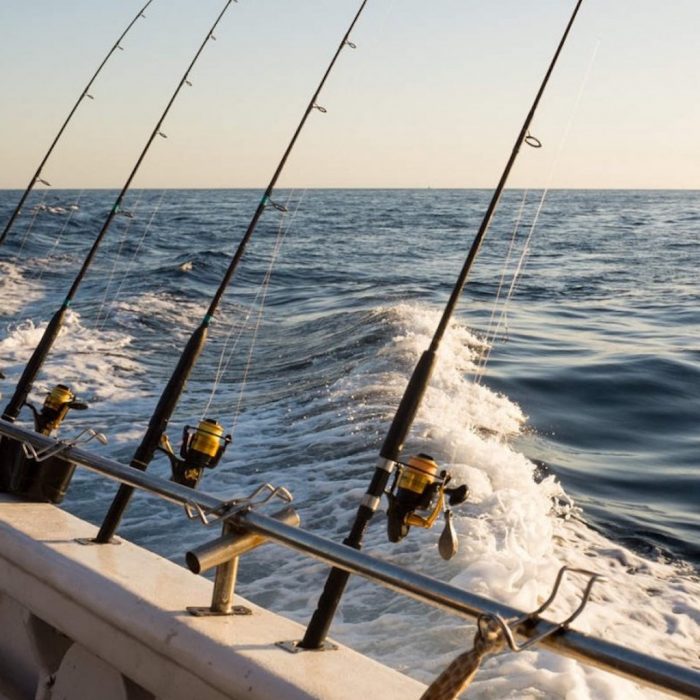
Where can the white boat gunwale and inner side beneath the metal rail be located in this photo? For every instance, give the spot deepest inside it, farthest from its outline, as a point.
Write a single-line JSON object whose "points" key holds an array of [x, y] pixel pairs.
{"points": [[111, 622]]}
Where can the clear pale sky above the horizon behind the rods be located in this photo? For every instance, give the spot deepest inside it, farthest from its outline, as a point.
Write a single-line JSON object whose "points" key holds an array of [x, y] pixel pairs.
{"points": [[433, 96]]}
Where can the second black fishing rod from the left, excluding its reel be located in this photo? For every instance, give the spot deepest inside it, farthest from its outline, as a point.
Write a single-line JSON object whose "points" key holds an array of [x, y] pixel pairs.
{"points": [[40, 353]]}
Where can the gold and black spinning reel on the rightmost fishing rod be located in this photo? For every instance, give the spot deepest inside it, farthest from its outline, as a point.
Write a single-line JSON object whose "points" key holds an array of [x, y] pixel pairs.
{"points": [[417, 496]]}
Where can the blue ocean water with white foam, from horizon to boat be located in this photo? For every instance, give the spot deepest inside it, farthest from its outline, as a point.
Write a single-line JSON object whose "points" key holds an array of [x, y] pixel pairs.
{"points": [[566, 394]]}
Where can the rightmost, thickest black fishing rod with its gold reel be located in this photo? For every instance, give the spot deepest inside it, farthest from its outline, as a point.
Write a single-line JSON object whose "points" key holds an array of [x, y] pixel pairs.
{"points": [[416, 483]]}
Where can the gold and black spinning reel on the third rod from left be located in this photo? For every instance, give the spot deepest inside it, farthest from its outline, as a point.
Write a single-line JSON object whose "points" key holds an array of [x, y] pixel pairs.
{"points": [[202, 448]]}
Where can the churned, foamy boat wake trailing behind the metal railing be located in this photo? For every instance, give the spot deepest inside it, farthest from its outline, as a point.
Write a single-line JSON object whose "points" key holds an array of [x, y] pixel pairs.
{"points": [[313, 415]]}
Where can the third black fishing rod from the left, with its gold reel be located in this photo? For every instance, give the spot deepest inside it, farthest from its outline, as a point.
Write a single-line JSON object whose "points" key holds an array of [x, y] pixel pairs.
{"points": [[207, 441]]}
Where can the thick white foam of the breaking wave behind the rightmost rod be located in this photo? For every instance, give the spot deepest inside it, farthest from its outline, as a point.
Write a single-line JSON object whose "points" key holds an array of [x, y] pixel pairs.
{"points": [[512, 541]]}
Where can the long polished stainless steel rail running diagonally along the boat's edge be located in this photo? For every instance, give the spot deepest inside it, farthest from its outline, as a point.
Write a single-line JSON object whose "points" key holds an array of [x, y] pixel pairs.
{"points": [[662, 675]]}
